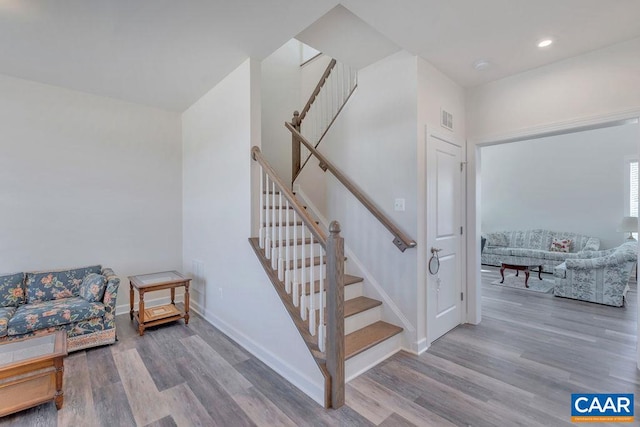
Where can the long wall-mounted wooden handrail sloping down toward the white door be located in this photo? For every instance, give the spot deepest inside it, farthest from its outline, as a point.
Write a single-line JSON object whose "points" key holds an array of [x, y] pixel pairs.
{"points": [[401, 240]]}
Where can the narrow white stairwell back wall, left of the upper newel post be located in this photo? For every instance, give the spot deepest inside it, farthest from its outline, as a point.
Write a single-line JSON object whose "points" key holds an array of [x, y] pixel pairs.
{"points": [[280, 96]]}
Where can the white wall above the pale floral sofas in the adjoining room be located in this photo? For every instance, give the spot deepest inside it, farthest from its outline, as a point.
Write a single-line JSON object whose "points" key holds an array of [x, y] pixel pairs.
{"points": [[573, 182]]}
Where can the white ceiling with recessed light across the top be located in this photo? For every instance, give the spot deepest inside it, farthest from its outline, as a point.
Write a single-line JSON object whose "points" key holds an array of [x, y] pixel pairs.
{"points": [[168, 53]]}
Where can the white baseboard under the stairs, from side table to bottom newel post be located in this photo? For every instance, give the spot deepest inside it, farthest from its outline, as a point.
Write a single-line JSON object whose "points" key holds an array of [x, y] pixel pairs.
{"points": [[295, 377]]}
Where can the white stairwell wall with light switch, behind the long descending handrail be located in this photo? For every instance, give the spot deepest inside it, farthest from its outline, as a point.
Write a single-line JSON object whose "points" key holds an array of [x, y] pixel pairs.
{"points": [[374, 143]]}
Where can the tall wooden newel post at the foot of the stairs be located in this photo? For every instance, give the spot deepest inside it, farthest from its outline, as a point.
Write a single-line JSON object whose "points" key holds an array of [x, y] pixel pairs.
{"points": [[335, 313]]}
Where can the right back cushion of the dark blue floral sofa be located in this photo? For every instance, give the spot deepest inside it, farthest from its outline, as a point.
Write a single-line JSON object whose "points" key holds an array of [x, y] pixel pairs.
{"points": [[52, 285]]}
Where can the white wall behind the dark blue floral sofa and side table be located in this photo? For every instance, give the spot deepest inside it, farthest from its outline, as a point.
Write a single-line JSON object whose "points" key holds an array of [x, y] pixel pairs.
{"points": [[87, 179]]}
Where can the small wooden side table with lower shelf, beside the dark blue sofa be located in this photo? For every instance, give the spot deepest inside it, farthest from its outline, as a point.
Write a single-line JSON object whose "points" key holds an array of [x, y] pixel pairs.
{"points": [[158, 315]]}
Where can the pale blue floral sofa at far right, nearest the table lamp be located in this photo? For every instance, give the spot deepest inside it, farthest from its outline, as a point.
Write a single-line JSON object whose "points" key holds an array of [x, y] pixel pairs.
{"points": [[598, 276]]}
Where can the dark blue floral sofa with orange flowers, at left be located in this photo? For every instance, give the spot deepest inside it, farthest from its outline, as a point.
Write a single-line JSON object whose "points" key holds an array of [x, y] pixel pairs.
{"points": [[80, 301]]}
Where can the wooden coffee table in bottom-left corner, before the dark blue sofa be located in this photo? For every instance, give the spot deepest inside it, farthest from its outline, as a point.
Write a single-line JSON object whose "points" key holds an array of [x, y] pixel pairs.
{"points": [[31, 372]]}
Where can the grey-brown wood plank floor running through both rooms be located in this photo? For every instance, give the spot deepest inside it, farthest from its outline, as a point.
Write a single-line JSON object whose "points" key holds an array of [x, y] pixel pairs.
{"points": [[518, 367]]}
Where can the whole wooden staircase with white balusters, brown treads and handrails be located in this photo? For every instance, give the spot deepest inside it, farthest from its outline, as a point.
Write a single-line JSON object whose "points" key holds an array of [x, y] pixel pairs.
{"points": [[343, 329]]}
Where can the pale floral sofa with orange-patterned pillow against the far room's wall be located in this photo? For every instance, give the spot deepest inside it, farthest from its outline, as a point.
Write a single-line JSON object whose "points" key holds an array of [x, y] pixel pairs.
{"points": [[535, 247]]}
